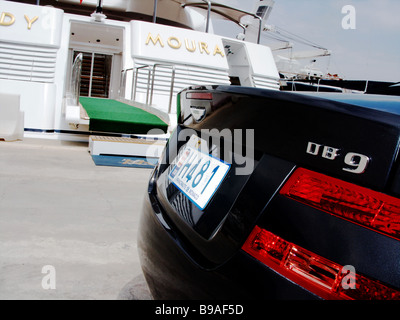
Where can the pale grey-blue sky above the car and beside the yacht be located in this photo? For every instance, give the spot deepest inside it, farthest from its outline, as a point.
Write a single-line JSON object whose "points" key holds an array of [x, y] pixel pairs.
{"points": [[365, 44]]}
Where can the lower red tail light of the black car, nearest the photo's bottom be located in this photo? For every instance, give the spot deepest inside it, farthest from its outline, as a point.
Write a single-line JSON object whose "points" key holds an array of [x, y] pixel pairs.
{"points": [[314, 273]]}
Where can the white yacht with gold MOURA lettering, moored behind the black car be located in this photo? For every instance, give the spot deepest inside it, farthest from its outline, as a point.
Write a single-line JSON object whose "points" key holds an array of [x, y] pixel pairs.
{"points": [[72, 69]]}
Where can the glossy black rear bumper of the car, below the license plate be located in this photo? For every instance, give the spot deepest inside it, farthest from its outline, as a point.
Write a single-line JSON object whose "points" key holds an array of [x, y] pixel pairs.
{"points": [[172, 274]]}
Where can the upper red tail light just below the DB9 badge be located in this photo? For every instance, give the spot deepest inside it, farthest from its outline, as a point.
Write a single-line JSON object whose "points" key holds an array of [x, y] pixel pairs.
{"points": [[360, 205]]}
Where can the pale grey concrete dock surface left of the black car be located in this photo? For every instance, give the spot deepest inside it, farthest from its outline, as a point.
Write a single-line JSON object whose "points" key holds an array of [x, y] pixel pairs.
{"points": [[68, 228]]}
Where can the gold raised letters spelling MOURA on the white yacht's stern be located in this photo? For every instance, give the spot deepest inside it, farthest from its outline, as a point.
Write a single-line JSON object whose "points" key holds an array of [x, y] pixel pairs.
{"points": [[190, 45]]}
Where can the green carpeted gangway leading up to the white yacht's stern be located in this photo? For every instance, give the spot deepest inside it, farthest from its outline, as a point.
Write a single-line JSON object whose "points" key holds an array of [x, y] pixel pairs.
{"points": [[108, 115]]}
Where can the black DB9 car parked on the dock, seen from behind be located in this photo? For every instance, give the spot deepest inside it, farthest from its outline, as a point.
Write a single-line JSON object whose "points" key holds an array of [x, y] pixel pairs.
{"points": [[306, 204]]}
